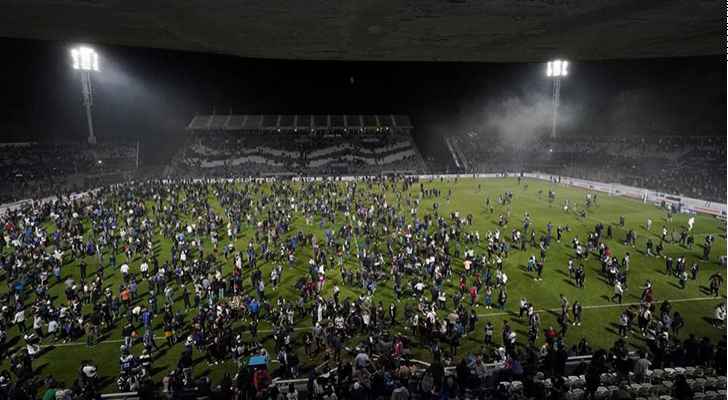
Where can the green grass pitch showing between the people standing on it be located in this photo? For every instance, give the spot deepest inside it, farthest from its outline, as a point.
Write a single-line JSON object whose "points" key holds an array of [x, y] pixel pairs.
{"points": [[599, 316]]}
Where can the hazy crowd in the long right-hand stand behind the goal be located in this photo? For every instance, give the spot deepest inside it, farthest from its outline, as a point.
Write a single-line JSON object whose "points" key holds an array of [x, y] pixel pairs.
{"points": [[688, 166]]}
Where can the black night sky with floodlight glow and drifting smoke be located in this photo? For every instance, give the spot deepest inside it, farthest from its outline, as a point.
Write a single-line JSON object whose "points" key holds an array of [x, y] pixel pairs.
{"points": [[152, 94]]}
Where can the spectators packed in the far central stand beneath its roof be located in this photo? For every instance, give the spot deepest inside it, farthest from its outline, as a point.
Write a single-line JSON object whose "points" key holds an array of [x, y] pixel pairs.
{"points": [[259, 154]]}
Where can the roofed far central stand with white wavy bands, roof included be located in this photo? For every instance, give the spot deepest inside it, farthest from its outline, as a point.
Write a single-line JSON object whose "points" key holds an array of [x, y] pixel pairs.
{"points": [[368, 149]]}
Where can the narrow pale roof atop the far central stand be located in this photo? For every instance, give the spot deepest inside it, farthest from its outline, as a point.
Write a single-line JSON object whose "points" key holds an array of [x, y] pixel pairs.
{"points": [[300, 121]]}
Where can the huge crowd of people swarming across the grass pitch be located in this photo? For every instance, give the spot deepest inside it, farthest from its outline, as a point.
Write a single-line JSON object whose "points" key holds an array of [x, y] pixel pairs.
{"points": [[181, 273]]}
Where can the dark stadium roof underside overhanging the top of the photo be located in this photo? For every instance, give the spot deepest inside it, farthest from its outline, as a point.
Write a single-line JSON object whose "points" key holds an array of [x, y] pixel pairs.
{"points": [[427, 30]]}
